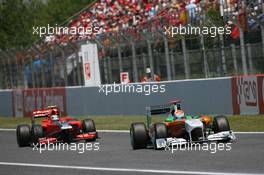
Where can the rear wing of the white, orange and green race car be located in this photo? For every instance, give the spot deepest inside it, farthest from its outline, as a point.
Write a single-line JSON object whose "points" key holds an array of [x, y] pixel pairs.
{"points": [[156, 110]]}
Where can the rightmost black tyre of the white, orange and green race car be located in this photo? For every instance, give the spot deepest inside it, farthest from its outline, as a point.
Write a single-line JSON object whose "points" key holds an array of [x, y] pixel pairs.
{"points": [[220, 124]]}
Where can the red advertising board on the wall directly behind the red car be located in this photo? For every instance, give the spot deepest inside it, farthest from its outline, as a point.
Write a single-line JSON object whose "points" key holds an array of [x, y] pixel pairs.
{"points": [[39, 98]]}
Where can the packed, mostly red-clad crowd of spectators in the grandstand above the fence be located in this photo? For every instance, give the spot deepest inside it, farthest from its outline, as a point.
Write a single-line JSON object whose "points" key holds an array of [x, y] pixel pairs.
{"points": [[107, 16]]}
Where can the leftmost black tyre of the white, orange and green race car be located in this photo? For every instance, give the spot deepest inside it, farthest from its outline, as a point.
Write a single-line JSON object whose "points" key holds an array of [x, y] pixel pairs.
{"points": [[138, 135]]}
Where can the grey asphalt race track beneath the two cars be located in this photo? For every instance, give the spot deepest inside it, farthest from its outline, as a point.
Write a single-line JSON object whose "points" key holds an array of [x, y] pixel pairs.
{"points": [[115, 157]]}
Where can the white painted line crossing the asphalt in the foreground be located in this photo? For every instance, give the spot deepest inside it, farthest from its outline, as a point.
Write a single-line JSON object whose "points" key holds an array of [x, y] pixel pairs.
{"points": [[120, 169]]}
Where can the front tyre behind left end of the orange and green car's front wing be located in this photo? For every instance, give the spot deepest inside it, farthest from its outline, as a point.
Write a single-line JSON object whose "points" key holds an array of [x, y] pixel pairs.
{"points": [[160, 132]]}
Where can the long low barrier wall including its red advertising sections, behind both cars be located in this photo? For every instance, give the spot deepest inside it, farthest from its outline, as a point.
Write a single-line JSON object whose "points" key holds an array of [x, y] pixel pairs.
{"points": [[230, 95]]}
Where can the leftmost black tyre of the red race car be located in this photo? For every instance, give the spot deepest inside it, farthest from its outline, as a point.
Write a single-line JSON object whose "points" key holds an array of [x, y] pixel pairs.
{"points": [[23, 135]]}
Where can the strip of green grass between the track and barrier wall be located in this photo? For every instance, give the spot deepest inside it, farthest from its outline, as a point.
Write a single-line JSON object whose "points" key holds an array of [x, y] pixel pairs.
{"points": [[237, 123]]}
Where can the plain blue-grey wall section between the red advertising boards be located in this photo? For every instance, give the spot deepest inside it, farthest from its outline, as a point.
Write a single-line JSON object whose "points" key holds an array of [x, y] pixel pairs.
{"points": [[203, 96]]}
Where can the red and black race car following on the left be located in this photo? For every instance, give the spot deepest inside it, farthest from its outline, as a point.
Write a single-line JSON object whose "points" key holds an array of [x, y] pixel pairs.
{"points": [[54, 129]]}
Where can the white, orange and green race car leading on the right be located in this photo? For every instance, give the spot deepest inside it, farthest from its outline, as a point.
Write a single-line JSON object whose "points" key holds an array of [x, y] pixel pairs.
{"points": [[178, 128]]}
